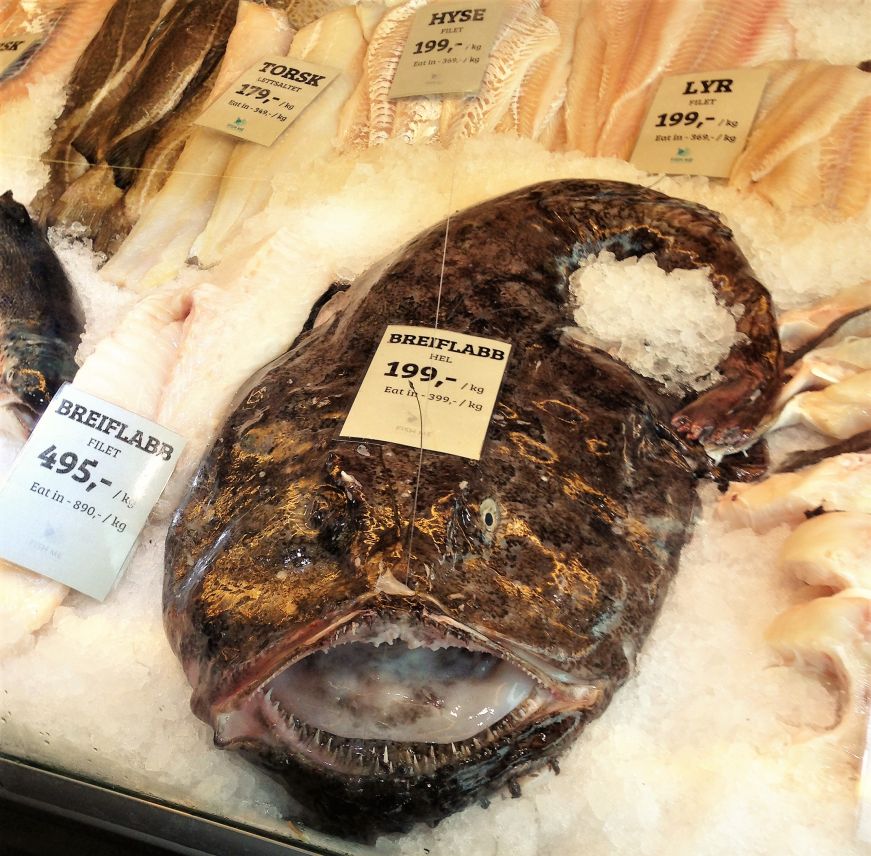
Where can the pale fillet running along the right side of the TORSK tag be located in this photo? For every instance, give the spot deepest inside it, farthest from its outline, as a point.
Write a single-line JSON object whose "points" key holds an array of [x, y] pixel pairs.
{"points": [[336, 41]]}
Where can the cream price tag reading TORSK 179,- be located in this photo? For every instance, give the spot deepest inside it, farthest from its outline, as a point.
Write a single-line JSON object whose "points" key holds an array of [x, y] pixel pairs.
{"points": [[267, 98]]}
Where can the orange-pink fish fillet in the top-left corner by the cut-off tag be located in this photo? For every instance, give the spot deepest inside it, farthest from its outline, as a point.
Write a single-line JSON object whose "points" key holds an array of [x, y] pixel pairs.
{"points": [[69, 26]]}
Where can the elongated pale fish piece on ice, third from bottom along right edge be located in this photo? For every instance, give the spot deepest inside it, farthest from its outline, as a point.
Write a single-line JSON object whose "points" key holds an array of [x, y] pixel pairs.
{"points": [[841, 483]]}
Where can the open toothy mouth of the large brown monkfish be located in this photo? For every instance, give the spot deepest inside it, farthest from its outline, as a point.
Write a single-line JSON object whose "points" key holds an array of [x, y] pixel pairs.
{"points": [[397, 698]]}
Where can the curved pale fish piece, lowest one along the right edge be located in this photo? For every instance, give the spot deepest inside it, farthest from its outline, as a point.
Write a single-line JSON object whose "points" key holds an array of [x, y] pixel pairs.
{"points": [[832, 636]]}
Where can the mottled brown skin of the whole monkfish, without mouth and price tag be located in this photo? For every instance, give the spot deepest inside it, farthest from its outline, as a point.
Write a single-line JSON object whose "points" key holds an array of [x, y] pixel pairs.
{"points": [[288, 528]]}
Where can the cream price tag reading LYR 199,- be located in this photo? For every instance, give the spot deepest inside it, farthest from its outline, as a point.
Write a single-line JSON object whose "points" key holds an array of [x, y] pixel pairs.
{"points": [[699, 122]]}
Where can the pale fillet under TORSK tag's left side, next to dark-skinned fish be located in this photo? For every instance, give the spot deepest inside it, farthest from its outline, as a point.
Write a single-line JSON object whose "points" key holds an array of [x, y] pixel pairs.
{"points": [[160, 242]]}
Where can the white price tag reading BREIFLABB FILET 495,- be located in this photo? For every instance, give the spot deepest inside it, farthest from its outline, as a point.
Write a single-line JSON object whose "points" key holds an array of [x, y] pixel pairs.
{"points": [[81, 490]]}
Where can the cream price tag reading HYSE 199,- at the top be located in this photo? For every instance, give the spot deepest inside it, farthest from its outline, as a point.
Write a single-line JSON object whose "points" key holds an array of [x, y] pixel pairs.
{"points": [[447, 49]]}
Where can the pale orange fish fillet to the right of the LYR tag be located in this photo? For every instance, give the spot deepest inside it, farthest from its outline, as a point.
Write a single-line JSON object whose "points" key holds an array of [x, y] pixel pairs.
{"points": [[810, 144]]}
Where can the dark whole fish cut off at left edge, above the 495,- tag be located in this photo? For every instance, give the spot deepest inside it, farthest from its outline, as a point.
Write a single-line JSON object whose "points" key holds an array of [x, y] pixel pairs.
{"points": [[40, 320]]}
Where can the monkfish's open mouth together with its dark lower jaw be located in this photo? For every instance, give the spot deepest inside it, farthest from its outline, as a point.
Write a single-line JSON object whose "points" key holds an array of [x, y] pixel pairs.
{"points": [[385, 725]]}
